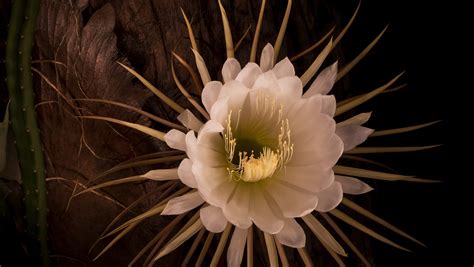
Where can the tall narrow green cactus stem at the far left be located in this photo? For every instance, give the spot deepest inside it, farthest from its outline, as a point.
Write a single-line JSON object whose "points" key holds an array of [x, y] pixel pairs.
{"points": [[24, 125]]}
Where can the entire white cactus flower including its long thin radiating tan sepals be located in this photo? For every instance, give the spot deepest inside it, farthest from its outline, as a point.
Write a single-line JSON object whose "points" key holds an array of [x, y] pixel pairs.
{"points": [[266, 154]]}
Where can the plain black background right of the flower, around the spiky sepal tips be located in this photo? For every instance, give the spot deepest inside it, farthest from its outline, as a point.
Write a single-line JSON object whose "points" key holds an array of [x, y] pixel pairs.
{"points": [[425, 38]]}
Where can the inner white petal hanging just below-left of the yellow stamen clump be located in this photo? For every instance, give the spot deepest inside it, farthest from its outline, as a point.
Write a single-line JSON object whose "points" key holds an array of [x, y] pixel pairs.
{"points": [[237, 206]]}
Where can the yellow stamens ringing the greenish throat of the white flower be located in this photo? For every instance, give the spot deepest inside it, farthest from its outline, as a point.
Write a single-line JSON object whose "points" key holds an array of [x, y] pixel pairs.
{"points": [[249, 160]]}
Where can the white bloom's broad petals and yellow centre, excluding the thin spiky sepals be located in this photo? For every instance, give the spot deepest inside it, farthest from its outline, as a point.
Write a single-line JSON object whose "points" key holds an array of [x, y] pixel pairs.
{"points": [[266, 155]]}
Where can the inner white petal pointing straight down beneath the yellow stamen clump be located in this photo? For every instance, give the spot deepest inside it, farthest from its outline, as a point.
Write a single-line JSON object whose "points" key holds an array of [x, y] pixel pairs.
{"points": [[263, 213]]}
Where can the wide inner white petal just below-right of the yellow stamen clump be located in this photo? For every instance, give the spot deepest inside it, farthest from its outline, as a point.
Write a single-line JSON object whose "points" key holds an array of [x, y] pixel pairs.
{"points": [[293, 202]]}
